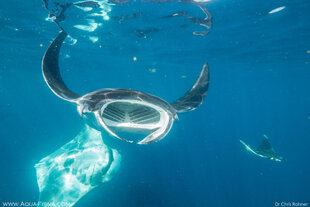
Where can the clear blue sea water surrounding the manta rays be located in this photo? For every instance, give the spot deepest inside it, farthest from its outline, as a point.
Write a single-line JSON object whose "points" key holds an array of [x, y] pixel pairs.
{"points": [[259, 84]]}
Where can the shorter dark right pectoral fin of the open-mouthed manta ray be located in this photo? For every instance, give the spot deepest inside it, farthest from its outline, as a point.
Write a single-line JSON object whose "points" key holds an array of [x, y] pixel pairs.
{"points": [[195, 96]]}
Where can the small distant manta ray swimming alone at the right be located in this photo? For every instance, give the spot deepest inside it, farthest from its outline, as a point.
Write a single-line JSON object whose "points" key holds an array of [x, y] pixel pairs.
{"points": [[264, 150]]}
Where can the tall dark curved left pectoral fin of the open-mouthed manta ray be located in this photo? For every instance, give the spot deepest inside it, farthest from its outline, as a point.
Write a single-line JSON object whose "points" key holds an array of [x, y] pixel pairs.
{"points": [[50, 69]]}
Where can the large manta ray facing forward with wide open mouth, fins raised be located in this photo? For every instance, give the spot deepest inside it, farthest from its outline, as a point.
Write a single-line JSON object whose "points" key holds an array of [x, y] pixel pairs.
{"points": [[126, 110]]}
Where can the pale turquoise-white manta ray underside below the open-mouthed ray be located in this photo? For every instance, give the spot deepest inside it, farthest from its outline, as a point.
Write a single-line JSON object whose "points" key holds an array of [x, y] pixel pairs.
{"points": [[70, 172]]}
